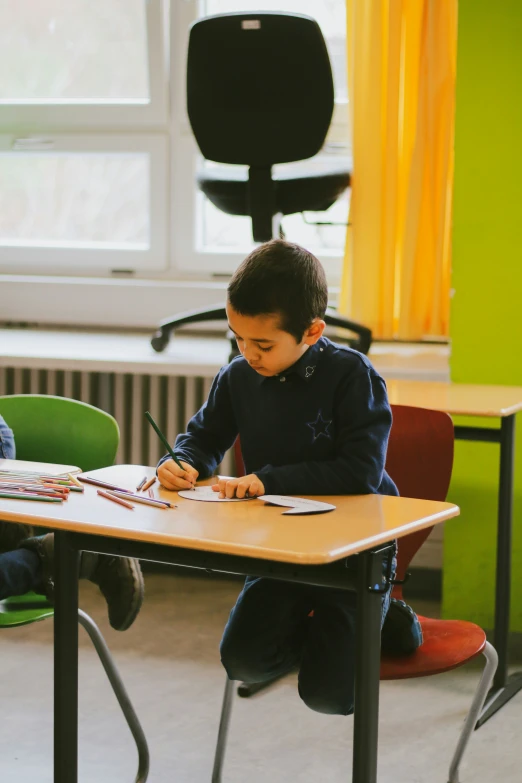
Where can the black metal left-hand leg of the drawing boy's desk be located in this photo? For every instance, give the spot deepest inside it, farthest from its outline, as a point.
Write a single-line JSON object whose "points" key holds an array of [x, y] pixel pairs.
{"points": [[65, 660]]}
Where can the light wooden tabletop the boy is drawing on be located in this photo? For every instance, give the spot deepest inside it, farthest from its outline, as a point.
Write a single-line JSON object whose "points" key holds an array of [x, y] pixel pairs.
{"points": [[250, 529]]}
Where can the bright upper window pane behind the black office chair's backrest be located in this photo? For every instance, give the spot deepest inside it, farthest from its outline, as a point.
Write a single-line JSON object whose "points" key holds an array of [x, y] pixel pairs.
{"points": [[330, 14]]}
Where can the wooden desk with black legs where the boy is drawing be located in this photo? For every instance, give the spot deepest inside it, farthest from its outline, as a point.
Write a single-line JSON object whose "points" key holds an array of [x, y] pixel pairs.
{"points": [[244, 538]]}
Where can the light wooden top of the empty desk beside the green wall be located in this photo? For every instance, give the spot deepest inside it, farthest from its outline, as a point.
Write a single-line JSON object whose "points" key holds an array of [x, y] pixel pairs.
{"points": [[466, 399]]}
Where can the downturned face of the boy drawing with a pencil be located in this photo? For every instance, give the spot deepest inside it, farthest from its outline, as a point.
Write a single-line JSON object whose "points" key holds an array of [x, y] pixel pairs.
{"points": [[267, 348]]}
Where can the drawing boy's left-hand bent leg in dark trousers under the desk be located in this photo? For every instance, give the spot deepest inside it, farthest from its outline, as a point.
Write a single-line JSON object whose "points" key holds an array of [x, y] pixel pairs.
{"points": [[266, 629]]}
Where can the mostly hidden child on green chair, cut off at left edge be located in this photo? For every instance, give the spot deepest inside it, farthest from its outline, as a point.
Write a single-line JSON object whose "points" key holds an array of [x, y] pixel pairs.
{"points": [[27, 563]]}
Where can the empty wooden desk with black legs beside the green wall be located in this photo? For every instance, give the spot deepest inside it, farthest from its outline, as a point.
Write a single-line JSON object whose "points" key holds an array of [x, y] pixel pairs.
{"points": [[503, 402]]}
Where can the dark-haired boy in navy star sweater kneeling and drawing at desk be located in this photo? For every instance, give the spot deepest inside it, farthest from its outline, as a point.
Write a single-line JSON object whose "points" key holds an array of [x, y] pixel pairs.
{"points": [[313, 418]]}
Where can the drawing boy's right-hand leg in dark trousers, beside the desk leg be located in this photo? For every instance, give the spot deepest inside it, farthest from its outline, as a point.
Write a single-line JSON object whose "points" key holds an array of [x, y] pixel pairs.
{"points": [[327, 672]]}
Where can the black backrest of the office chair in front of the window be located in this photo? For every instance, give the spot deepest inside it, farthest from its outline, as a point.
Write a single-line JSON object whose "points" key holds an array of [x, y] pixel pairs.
{"points": [[259, 88]]}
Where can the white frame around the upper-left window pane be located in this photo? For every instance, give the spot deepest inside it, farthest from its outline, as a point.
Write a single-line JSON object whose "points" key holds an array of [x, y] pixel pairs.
{"points": [[90, 114]]}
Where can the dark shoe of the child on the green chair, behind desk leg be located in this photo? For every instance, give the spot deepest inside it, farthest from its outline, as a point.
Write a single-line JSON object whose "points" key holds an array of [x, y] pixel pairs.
{"points": [[119, 579]]}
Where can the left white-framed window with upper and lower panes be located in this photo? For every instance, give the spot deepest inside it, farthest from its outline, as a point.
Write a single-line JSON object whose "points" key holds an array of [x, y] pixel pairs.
{"points": [[84, 136]]}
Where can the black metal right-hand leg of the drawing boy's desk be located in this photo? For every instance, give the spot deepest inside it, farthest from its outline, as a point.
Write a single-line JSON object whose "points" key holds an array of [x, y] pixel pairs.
{"points": [[367, 669]]}
